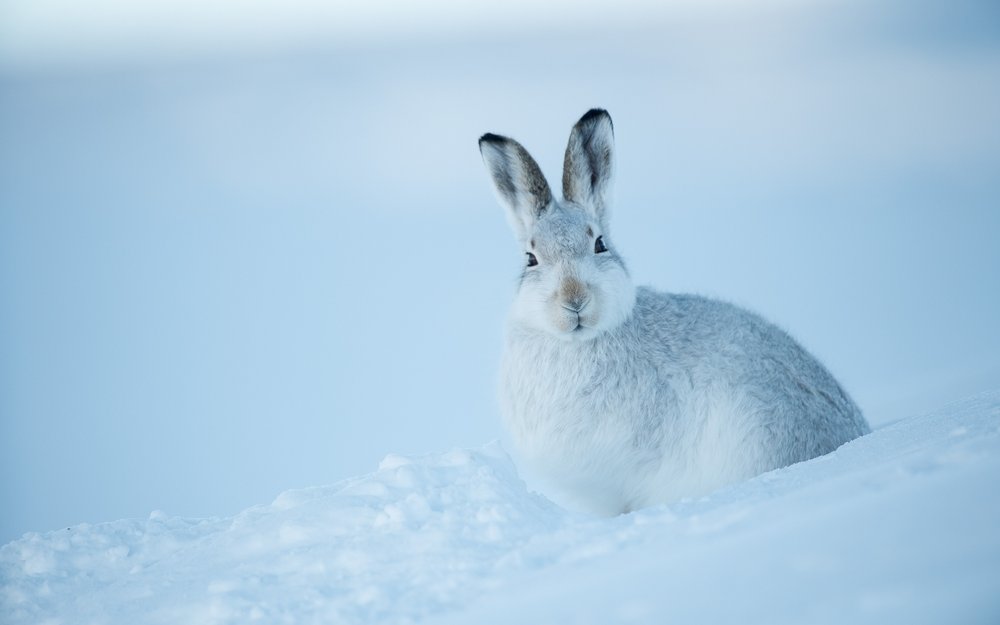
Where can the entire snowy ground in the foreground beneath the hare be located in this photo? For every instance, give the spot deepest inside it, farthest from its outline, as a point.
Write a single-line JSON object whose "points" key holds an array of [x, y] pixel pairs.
{"points": [[899, 526]]}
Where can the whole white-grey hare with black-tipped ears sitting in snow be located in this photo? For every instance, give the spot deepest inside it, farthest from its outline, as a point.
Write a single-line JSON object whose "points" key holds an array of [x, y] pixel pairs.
{"points": [[625, 397]]}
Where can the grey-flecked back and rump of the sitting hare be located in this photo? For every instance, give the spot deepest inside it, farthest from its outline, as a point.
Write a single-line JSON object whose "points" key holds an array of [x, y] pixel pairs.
{"points": [[784, 392]]}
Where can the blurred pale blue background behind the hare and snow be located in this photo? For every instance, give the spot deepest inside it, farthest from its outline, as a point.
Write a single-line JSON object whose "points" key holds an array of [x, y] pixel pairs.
{"points": [[250, 246]]}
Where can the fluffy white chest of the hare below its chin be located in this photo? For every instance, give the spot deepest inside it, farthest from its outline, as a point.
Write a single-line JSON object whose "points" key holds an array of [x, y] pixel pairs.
{"points": [[577, 426]]}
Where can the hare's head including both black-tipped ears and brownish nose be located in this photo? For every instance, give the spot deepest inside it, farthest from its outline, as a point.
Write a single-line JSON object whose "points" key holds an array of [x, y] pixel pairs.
{"points": [[574, 284]]}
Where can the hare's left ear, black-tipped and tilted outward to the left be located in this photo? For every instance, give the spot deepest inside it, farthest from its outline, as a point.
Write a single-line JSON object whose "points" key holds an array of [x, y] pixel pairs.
{"points": [[518, 181]]}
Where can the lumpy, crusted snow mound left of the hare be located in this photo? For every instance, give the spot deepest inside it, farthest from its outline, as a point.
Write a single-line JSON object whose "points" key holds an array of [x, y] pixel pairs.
{"points": [[402, 541]]}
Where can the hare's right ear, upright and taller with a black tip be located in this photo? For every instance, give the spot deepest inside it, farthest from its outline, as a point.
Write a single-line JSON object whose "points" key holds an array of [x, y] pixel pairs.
{"points": [[589, 163]]}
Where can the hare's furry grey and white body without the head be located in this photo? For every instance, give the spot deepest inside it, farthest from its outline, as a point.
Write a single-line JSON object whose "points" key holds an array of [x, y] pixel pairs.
{"points": [[687, 395]]}
